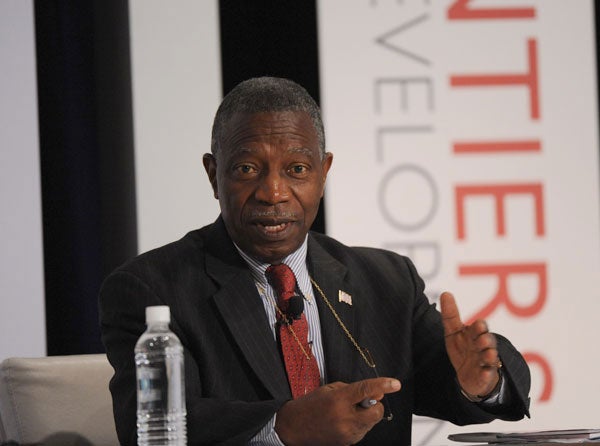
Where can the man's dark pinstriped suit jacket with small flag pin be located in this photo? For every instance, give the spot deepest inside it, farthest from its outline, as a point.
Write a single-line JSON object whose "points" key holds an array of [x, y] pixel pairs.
{"points": [[235, 378]]}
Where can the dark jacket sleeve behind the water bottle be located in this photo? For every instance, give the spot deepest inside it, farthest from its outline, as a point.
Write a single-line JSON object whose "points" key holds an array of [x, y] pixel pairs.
{"points": [[122, 301]]}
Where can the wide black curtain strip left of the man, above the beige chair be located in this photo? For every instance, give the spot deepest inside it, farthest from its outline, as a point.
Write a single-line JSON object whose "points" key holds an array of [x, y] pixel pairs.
{"points": [[86, 156]]}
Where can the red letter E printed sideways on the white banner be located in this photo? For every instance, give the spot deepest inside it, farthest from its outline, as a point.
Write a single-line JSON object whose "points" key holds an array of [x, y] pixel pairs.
{"points": [[499, 192]]}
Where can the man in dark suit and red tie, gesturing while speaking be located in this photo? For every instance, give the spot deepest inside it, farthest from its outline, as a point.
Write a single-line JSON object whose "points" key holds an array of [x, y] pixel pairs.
{"points": [[365, 308]]}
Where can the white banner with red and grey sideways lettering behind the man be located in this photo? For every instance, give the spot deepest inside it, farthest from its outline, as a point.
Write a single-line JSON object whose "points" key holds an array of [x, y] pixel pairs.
{"points": [[465, 136]]}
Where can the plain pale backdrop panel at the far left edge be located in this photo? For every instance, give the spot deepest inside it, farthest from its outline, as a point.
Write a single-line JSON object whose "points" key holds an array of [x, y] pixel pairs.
{"points": [[22, 314]]}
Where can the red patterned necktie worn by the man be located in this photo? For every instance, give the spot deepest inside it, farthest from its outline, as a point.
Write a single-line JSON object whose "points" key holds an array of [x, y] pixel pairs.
{"points": [[300, 364]]}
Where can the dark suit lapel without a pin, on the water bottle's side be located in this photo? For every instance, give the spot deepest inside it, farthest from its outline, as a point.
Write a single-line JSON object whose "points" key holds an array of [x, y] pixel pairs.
{"points": [[240, 305]]}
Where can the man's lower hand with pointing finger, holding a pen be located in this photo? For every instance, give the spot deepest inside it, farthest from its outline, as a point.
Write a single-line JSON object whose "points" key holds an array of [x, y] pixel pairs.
{"points": [[332, 415]]}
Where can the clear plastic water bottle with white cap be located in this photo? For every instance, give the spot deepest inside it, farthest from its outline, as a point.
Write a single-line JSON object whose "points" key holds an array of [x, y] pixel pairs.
{"points": [[161, 414]]}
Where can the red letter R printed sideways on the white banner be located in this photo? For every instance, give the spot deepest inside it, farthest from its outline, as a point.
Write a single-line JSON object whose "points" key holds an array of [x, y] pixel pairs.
{"points": [[503, 272]]}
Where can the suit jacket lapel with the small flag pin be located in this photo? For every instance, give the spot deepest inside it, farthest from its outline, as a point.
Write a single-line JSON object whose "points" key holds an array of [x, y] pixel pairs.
{"points": [[330, 275]]}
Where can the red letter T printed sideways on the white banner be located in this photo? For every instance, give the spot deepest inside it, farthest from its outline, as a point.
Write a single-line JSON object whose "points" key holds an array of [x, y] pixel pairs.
{"points": [[529, 79]]}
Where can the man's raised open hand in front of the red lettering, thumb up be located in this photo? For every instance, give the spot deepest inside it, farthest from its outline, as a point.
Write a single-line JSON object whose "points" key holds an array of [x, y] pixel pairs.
{"points": [[471, 349]]}
